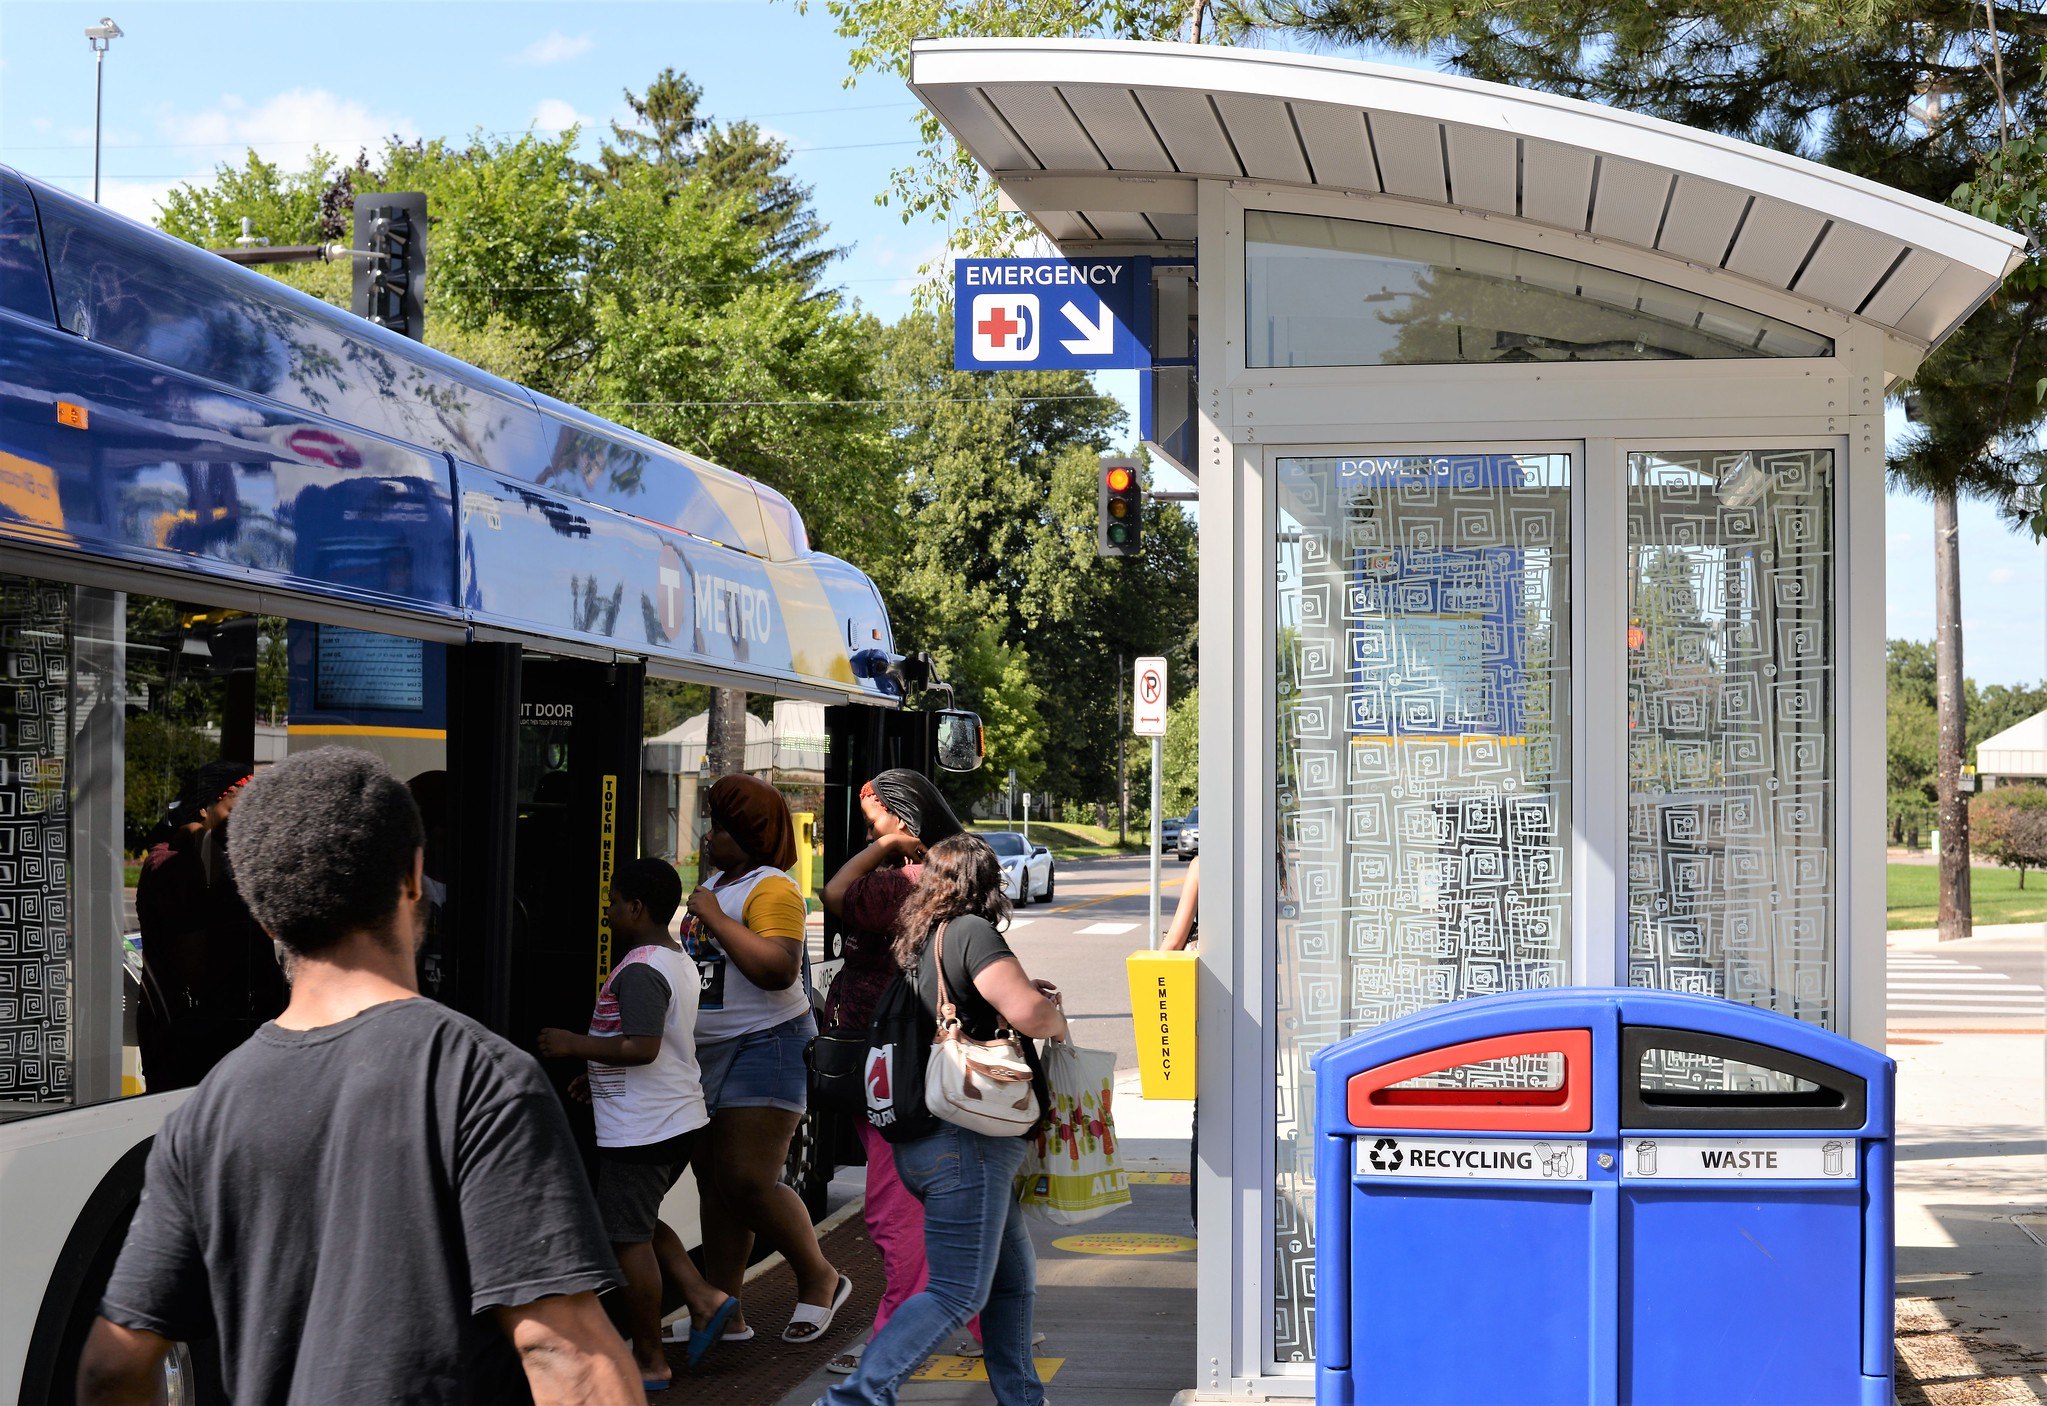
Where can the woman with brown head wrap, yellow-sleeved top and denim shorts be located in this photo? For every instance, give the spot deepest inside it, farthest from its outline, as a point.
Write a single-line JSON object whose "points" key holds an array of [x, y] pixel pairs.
{"points": [[752, 1028]]}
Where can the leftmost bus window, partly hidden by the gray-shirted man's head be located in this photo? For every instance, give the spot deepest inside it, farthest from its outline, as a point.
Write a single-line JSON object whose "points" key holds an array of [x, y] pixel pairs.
{"points": [[128, 726]]}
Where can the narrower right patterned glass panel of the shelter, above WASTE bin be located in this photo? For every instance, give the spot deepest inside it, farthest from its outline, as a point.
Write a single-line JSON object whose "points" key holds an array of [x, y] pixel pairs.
{"points": [[1731, 736]]}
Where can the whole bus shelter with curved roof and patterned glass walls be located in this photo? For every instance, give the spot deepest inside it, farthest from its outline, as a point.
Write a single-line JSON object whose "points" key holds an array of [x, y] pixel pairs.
{"points": [[1538, 449]]}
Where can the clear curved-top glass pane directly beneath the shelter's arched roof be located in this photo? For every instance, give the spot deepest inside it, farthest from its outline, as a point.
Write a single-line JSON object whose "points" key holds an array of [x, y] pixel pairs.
{"points": [[1348, 294]]}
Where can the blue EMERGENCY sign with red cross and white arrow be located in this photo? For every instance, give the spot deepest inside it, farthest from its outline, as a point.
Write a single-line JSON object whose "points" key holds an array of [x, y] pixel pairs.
{"points": [[1051, 314]]}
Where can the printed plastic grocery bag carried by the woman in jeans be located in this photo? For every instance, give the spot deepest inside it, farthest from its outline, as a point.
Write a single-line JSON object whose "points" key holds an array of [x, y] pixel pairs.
{"points": [[1072, 1172]]}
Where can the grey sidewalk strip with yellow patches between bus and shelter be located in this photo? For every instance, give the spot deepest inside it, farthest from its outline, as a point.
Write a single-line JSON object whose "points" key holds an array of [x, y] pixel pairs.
{"points": [[1115, 1297]]}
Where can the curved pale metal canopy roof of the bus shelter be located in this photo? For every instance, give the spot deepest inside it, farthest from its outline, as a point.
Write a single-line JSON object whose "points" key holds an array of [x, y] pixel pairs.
{"points": [[1102, 142]]}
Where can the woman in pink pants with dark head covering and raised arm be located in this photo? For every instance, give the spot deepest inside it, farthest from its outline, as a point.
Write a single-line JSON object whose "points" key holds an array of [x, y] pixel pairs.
{"points": [[906, 816]]}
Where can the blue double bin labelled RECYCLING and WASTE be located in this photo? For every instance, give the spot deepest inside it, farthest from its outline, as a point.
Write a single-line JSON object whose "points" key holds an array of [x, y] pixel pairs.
{"points": [[1604, 1198]]}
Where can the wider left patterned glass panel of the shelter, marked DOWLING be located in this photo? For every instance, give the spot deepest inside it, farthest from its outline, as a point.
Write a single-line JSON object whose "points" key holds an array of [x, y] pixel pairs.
{"points": [[1424, 685]]}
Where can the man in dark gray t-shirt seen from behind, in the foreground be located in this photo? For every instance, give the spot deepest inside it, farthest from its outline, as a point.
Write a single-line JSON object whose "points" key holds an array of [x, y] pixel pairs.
{"points": [[374, 1198]]}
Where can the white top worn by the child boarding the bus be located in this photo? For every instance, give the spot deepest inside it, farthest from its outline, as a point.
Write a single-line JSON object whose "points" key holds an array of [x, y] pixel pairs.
{"points": [[644, 1104]]}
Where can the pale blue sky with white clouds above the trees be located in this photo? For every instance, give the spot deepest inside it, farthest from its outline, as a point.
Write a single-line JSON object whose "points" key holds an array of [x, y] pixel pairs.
{"points": [[195, 85]]}
